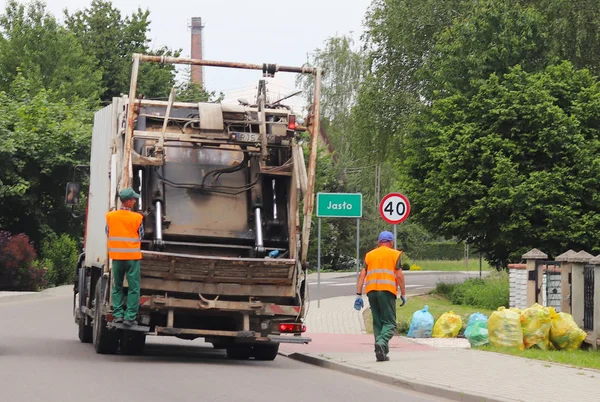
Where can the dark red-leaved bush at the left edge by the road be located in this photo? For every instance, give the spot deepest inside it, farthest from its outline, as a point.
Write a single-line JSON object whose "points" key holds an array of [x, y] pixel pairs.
{"points": [[17, 268]]}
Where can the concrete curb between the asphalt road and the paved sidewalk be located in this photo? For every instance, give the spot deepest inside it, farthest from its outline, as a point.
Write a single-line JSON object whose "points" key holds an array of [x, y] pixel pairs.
{"points": [[410, 384]]}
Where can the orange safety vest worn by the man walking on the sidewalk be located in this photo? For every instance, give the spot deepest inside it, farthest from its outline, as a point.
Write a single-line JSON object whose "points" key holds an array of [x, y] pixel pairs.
{"points": [[381, 267]]}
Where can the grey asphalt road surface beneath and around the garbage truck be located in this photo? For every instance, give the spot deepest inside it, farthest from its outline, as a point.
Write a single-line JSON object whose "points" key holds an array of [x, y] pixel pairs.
{"points": [[41, 359]]}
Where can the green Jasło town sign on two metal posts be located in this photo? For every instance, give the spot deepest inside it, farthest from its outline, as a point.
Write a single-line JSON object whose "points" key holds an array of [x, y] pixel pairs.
{"points": [[337, 205]]}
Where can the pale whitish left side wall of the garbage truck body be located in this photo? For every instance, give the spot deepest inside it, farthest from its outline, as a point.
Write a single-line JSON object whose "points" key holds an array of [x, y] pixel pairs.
{"points": [[105, 126]]}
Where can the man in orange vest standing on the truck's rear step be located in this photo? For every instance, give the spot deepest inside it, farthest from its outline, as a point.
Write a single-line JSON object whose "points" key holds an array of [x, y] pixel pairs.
{"points": [[125, 231]]}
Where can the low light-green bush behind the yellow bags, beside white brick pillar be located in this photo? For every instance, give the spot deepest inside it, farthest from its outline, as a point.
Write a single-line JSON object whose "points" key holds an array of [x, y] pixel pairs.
{"points": [[491, 292]]}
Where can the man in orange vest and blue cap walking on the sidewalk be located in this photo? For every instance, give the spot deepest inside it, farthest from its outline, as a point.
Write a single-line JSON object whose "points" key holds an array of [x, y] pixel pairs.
{"points": [[383, 275]]}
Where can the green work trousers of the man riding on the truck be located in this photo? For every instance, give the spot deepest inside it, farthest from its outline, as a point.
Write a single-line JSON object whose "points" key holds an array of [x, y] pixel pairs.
{"points": [[131, 269]]}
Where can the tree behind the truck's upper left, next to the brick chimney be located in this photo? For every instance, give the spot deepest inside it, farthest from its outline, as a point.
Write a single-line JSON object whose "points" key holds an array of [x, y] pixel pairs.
{"points": [[112, 39]]}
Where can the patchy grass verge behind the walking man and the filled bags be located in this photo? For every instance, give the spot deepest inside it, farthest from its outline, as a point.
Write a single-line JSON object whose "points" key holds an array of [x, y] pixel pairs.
{"points": [[437, 306]]}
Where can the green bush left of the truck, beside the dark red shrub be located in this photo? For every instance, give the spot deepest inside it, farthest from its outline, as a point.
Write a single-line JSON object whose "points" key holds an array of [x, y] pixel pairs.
{"points": [[60, 257]]}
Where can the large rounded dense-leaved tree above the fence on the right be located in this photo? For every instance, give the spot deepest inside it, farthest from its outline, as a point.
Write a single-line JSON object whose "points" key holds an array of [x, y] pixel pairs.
{"points": [[513, 165]]}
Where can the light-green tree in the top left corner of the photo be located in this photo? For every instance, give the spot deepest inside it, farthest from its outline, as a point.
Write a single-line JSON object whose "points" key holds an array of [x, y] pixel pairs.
{"points": [[47, 55]]}
